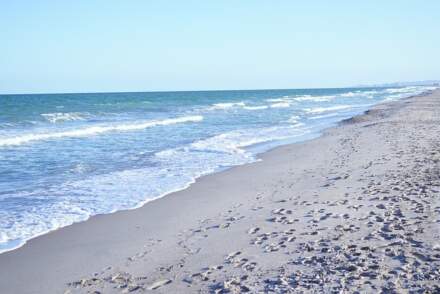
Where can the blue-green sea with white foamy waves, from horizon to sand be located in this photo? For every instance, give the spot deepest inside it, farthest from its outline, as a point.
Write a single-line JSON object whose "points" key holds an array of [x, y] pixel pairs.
{"points": [[66, 157]]}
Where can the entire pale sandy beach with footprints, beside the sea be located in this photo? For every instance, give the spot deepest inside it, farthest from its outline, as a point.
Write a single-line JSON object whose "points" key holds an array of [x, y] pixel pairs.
{"points": [[357, 209]]}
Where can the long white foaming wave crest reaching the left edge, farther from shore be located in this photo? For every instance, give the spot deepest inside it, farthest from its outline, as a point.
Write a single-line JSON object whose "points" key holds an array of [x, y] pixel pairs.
{"points": [[95, 130]]}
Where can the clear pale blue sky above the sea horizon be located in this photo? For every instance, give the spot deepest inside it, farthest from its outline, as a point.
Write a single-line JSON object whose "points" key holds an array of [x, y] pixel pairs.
{"points": [[116, 46]]}
